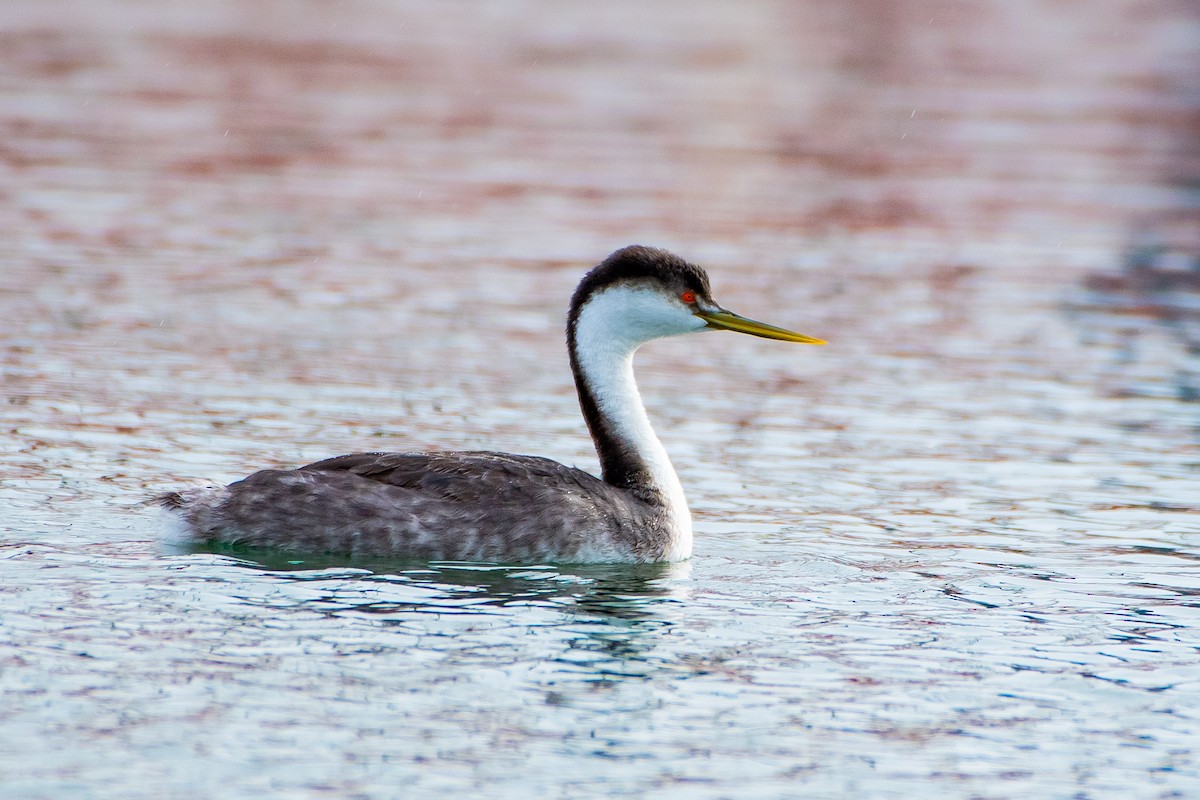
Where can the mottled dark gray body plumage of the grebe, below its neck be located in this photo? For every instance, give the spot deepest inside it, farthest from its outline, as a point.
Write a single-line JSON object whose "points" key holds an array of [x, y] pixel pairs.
{"points": [[460, 507]]}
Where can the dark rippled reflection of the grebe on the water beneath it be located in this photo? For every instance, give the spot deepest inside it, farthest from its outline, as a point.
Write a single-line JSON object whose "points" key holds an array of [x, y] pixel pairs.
{"points": [[602, 621]]}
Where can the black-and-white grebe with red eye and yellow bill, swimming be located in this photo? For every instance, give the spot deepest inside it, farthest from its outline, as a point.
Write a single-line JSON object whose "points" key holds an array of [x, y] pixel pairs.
{"points": [[491, 507]]}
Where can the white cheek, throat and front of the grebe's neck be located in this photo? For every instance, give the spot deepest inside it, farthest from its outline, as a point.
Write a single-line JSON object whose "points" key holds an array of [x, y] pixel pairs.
{"points": [[609, 330]]}
